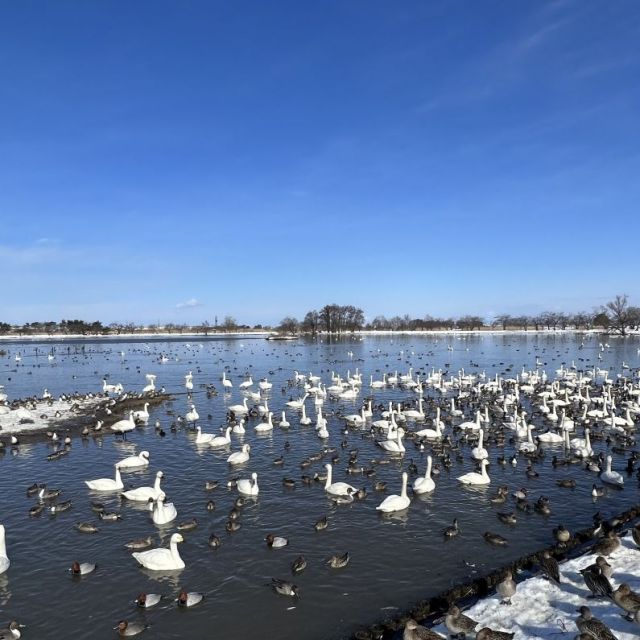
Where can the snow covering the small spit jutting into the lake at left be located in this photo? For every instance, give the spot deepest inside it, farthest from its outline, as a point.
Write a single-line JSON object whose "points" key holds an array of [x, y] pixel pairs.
{"points": [[43, 415]]}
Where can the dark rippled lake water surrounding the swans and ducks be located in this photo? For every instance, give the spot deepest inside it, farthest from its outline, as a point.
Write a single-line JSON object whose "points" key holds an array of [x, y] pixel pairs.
{"points": [[395, 561]]}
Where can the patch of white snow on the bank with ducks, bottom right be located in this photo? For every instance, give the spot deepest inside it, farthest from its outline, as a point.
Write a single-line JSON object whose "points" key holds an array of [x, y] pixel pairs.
{"points": [[540, 609]]}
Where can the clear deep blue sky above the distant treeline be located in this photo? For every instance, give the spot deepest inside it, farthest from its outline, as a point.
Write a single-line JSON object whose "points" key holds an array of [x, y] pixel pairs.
{"points": [[172, 161]]}
